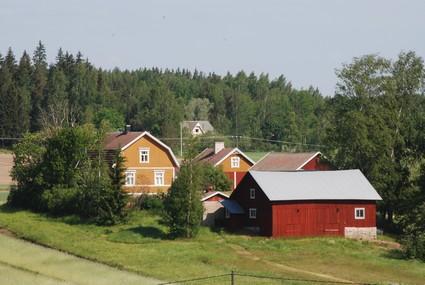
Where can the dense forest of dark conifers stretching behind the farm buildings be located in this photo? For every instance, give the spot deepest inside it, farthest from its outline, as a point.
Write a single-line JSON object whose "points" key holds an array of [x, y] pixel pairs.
{"points": [[35, 95]]}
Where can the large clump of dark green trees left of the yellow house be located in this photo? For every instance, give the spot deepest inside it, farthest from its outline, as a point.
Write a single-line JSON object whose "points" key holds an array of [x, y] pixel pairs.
{"points": [[56, 174]]}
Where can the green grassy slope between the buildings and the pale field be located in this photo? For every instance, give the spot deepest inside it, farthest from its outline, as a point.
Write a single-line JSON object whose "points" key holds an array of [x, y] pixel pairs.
{"points": [[140, 245]]}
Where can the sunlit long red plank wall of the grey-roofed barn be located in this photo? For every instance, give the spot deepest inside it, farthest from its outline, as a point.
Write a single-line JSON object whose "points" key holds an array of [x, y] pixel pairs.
{"points": [[319, 218]]}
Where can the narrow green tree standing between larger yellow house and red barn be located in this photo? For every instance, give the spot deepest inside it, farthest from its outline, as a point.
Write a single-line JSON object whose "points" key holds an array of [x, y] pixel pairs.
{"points": [[182, 206]]}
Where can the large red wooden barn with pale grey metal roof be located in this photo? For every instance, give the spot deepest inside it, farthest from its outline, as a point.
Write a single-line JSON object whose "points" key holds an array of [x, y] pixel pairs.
{"points": [[304, 203]]}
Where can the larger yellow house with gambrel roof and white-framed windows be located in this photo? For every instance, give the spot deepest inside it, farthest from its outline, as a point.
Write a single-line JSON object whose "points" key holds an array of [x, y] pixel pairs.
{"points": [[150, 164]]}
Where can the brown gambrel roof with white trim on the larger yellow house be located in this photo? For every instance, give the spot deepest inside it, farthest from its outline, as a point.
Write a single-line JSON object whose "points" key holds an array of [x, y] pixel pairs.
{"points": [[122, 140]]}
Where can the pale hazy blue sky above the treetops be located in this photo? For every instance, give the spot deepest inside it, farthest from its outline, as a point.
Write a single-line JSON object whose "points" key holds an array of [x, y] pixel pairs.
{"points": [[305, 40]]}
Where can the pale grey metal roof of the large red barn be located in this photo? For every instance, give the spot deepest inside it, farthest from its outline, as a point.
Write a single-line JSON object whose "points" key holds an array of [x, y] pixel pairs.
{"points": [[315, 185]]}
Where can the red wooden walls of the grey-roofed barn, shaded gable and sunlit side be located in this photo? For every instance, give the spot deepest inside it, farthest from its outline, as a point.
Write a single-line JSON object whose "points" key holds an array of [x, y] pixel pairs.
{"points": [[297, 218]]}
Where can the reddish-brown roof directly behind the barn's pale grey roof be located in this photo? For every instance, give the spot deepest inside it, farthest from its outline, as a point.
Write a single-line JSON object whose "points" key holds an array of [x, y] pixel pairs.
{"points": [[284, 161]]}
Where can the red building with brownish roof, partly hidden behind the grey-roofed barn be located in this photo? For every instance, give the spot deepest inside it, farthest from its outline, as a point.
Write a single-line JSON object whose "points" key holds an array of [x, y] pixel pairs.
{"points": [[288, 161]]}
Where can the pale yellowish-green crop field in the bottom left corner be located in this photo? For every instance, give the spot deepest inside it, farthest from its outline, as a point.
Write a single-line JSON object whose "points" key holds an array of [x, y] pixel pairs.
{"points": [[22, 262]]}
